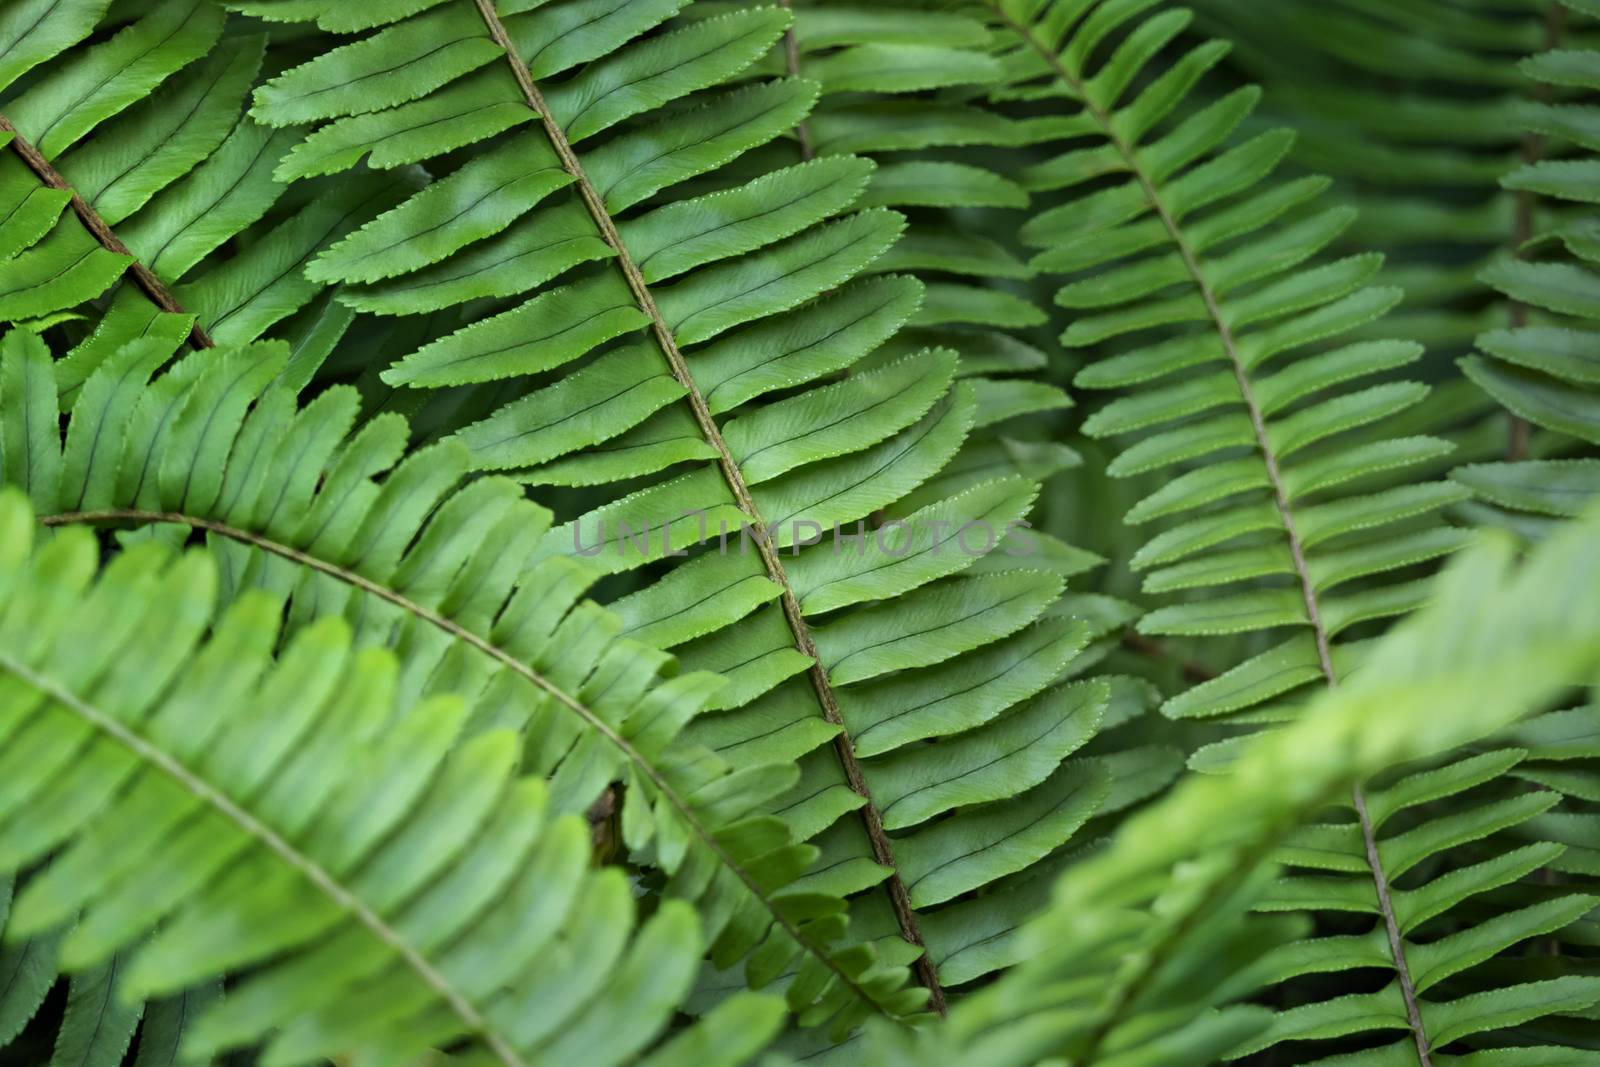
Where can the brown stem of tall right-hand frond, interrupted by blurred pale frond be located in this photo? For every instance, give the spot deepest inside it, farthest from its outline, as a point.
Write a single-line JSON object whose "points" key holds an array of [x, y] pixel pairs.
{"points": [[1274, 479]]}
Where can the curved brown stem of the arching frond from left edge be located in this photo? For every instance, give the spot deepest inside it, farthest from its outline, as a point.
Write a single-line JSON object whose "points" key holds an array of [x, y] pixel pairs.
{"points": [[498, 655]]}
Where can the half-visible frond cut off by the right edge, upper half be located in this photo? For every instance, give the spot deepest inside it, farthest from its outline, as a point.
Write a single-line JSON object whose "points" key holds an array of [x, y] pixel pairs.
{"points": [[1540, 369]]}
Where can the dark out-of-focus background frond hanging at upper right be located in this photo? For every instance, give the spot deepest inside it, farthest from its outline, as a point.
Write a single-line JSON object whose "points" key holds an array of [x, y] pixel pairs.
{"points": [[1417, 127]]}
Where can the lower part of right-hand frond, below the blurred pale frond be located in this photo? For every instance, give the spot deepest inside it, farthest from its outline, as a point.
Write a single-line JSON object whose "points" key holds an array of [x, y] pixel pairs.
{"points": [[1450, 839]]}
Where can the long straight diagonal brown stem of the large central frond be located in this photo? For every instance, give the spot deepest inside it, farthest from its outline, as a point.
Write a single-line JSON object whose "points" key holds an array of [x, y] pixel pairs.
{"points": [[879, 839]]}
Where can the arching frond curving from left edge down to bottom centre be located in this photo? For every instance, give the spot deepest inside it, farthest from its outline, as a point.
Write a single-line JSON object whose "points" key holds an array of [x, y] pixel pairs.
{"points": [[324, 513]]}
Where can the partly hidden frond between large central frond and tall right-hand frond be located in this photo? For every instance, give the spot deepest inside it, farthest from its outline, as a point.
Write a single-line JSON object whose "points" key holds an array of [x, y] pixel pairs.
{"points": [[897, 87]]}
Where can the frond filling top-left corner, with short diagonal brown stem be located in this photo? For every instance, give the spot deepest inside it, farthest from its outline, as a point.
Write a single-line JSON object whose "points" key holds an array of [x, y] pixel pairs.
{"points": [[140, 134]]}
